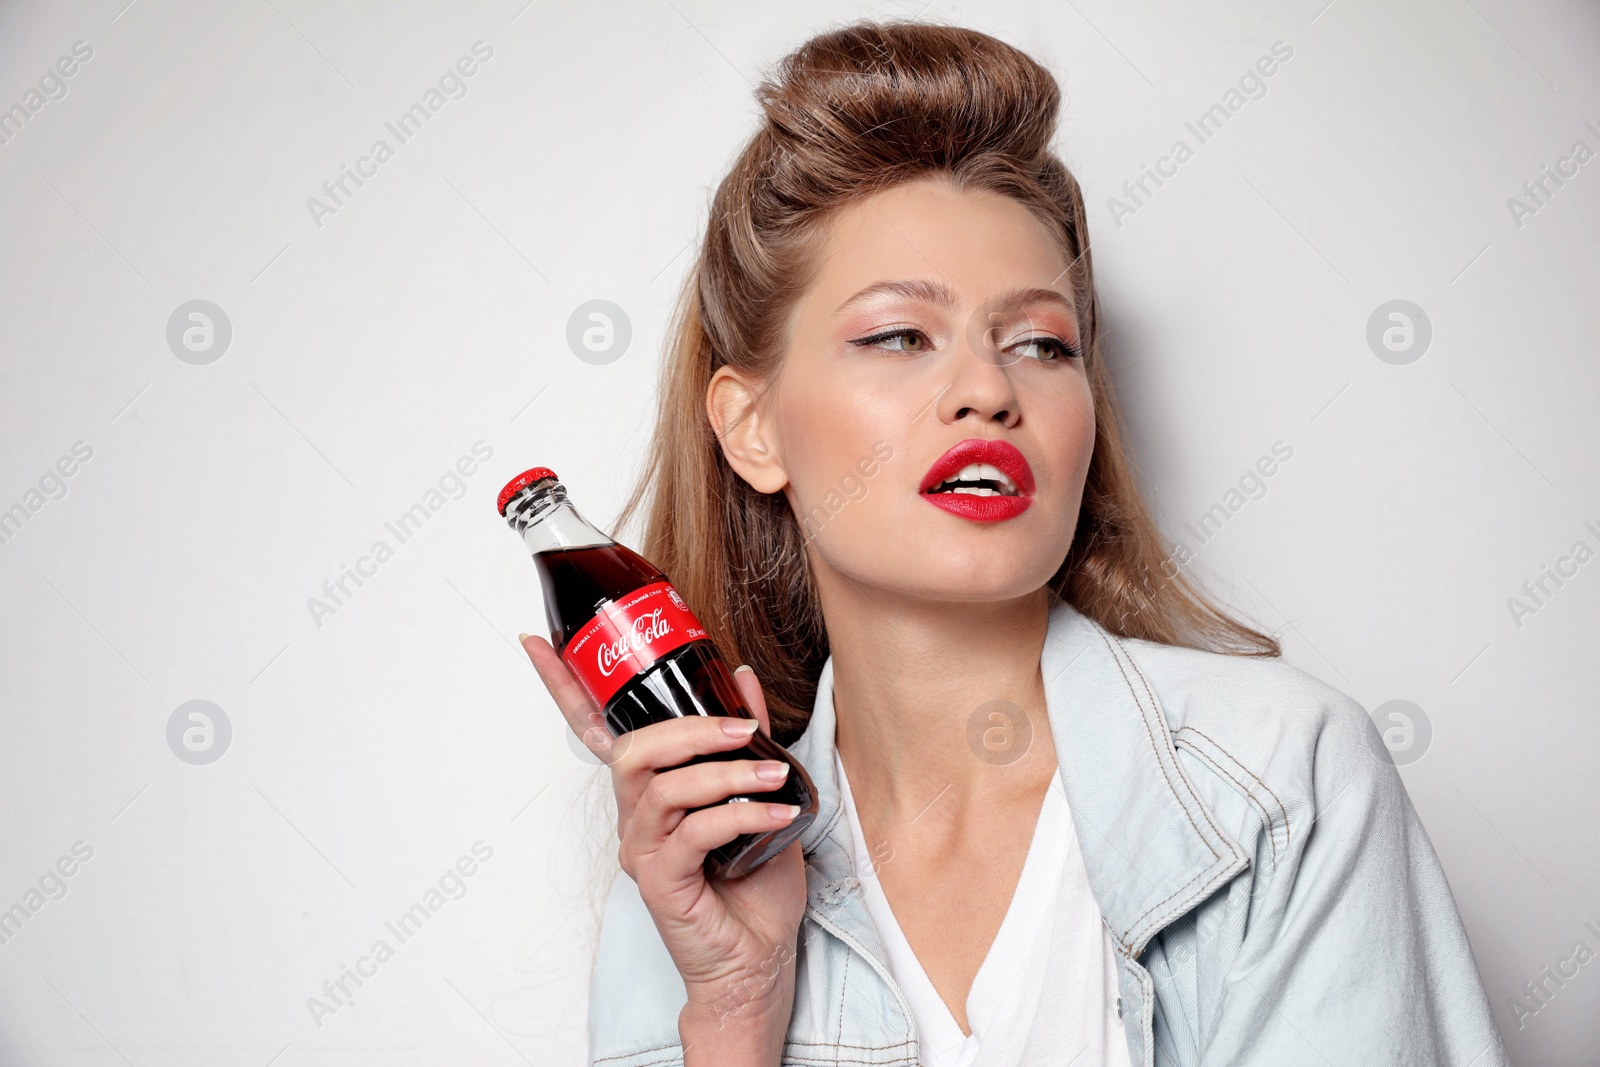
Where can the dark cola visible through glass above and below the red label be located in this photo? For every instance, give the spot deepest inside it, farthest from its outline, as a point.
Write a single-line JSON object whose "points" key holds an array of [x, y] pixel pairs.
{"points": [[690, 681]]}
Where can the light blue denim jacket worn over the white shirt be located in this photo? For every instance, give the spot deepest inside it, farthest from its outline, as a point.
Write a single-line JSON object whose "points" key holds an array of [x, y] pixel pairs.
{"points": [[1268, 885]]}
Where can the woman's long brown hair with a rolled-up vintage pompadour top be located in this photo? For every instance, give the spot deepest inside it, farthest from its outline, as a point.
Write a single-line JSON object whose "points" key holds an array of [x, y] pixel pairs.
{"points": [[849, 114]]}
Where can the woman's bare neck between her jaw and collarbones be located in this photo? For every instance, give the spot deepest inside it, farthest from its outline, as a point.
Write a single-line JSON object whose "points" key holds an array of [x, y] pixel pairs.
{"points": [[929, 697]]}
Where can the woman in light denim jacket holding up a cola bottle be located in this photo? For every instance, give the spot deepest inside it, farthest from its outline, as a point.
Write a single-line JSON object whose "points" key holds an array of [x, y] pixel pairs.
{"points": [[1071, 813]]}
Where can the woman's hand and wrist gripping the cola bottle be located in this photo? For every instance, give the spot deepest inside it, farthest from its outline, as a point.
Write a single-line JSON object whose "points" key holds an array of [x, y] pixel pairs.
{"points": [[734, 940]]}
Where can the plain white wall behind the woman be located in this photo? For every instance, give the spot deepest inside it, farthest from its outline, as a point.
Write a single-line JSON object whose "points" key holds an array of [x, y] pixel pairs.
{"points": [[375, 350]]}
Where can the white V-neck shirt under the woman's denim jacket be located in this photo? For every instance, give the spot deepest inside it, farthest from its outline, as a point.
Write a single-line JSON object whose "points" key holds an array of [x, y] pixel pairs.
{"points": [[1047, 989]]}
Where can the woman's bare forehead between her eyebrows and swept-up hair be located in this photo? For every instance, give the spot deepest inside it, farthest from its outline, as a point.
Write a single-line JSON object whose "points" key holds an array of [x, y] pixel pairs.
{"points": [[974, 241]]}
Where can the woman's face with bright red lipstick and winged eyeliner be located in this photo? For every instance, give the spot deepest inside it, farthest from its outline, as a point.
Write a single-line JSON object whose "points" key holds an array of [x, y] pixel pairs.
{"points": [[938, 318]]}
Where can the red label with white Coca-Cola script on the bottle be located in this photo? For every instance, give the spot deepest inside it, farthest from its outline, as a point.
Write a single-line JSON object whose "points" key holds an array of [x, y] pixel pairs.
{"points": [[628, 637]]}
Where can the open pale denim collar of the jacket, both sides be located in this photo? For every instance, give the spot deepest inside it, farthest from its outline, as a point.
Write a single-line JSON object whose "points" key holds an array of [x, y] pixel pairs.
{"points": [[1153, 850]]}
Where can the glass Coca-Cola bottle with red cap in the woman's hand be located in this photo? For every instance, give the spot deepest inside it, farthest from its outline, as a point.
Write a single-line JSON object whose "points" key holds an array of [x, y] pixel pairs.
{"points": [[638, 649]]}
